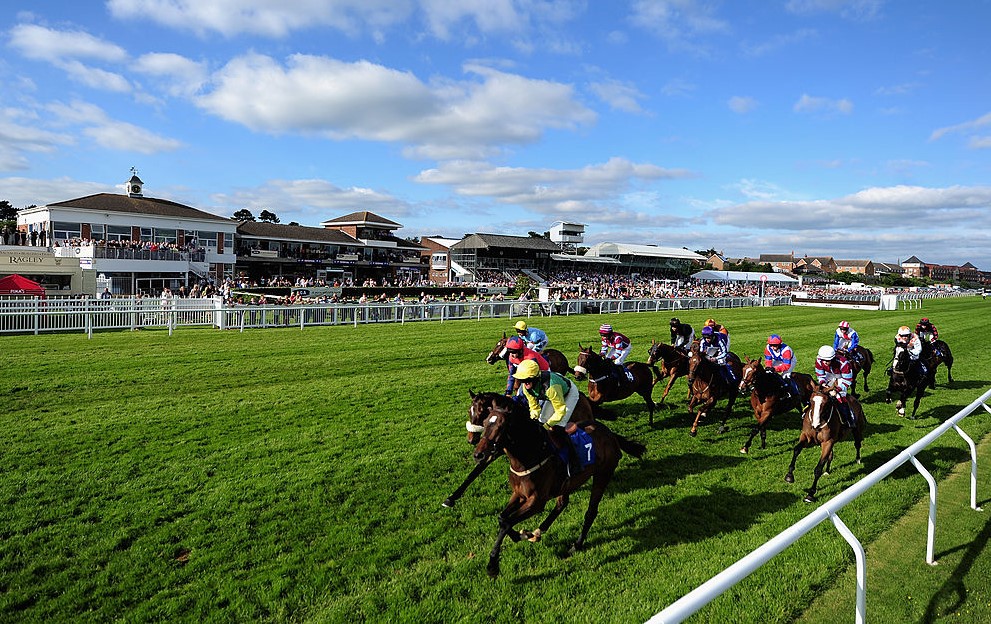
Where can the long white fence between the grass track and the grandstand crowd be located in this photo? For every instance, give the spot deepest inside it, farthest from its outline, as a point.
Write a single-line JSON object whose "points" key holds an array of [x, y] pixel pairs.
{"points": [[38, 316]]}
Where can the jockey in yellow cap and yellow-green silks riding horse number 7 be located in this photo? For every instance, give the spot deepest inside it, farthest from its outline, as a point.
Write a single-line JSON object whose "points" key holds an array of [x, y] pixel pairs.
{"points": [[551, 398]]}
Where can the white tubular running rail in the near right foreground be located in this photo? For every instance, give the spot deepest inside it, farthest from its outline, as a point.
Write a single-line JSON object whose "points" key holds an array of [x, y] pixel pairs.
{"points": [[717, 585]]}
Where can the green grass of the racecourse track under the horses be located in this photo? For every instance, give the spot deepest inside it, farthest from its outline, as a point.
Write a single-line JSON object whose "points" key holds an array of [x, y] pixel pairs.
{"points": [[287, 475]]}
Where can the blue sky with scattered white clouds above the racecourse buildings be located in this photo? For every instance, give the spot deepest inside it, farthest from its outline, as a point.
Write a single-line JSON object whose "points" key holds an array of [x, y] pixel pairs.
{"points": [[851, 128]]}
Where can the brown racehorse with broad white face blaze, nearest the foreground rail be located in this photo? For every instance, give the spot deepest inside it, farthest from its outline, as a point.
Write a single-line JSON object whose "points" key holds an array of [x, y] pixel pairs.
{"points": [[822, 426]]}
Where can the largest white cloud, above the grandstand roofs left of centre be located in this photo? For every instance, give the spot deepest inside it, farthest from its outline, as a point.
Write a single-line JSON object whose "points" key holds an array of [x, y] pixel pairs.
{"points": [[326, 97]]}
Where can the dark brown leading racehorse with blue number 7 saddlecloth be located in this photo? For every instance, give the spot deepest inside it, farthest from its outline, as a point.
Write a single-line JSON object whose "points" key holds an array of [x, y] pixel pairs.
{"points": [[537, 473]]}
